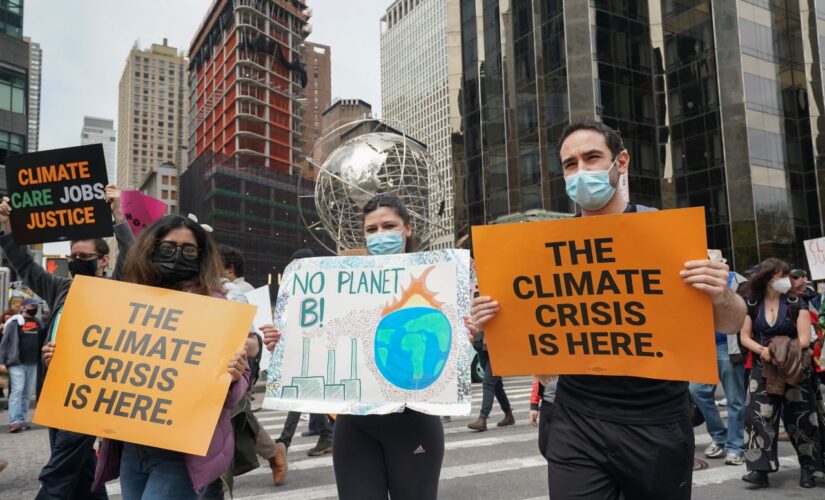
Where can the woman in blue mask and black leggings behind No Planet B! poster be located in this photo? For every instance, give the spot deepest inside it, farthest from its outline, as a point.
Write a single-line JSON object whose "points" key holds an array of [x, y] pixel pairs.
{"points": [[399, 454]]}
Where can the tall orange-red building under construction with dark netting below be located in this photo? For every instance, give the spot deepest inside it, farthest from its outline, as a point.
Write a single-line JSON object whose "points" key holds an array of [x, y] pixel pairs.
{"points": [[246, 94]]}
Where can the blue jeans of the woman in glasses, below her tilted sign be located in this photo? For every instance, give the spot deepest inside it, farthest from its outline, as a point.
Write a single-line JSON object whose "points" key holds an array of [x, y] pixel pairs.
{"points": [[148, 473]]}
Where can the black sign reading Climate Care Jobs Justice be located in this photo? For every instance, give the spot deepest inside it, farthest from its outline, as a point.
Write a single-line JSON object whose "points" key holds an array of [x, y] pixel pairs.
{"points": [[58, 195]]}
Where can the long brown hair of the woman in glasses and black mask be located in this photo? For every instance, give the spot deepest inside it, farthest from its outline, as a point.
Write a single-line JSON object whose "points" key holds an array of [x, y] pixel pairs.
{"points": [[141, 269]]}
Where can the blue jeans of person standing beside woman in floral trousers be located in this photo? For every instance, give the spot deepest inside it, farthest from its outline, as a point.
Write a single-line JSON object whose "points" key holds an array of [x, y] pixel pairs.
{"points": [[732, 377]]}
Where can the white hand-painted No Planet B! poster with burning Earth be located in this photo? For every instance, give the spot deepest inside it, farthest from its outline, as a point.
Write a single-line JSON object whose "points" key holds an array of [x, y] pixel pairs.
{"points": [[373, 335]]}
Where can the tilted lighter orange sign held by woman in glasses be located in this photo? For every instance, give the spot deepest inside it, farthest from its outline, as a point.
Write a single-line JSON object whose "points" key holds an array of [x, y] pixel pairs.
{"points": [[142, 365]]}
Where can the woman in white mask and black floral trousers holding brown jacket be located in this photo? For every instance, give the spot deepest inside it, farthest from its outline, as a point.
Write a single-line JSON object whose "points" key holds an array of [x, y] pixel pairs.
{"points": [[778, 331]]}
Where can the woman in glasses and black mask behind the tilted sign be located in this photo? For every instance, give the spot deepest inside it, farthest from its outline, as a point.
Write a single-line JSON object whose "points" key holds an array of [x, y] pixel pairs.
{"points": [[179, 254]]}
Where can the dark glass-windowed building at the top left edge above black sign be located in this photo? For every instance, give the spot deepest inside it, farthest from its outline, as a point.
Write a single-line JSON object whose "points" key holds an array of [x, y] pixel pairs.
{"points": [[14, 68]]}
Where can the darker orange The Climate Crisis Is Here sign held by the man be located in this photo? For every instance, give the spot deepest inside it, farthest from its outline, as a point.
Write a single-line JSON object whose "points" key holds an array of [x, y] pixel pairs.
{"points": [[598, 295]]}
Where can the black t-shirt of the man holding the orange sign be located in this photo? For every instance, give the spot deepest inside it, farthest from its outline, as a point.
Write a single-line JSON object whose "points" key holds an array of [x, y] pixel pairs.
{"points": [[625, 400]]}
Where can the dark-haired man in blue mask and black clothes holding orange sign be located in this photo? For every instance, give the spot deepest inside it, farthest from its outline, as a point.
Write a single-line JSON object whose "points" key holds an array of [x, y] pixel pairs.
{"points": [[611, 436]]}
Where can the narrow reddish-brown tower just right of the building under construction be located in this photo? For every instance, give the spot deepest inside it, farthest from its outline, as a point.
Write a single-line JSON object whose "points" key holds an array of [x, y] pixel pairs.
{"points": [[317, 61]]}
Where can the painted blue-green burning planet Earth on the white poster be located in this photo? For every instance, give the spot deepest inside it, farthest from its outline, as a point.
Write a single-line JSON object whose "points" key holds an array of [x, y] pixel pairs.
{"points": [[412, 346]]}
